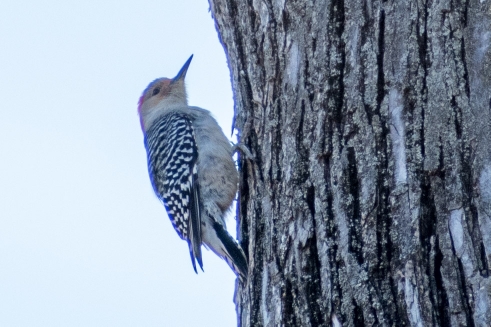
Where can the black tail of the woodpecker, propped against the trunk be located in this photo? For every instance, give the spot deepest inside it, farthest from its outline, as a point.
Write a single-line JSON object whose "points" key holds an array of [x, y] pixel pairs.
{"points": [[236, 258]]}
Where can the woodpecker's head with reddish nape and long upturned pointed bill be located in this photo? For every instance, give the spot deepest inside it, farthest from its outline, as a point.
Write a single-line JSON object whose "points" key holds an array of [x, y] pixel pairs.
{"points": [[161, 94]]}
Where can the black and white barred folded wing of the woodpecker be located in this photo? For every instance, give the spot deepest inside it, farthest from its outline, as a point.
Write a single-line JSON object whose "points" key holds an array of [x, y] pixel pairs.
{"points": [[172, 165]]}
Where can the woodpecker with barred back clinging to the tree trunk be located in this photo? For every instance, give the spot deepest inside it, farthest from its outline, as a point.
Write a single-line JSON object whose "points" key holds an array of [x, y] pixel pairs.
{"points": [[191, 169]]}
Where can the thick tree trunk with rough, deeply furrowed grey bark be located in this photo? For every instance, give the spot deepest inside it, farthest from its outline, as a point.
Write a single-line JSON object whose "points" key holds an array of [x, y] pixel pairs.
{"points": [[369, 199]]}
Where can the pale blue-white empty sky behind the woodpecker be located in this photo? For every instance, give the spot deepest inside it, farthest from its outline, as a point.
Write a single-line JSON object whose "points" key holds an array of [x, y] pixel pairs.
{"points": [[83, 239]]}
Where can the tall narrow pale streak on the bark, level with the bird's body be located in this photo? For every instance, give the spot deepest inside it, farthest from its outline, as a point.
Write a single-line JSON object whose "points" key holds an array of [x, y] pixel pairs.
{"points": [[397, 136]]}
